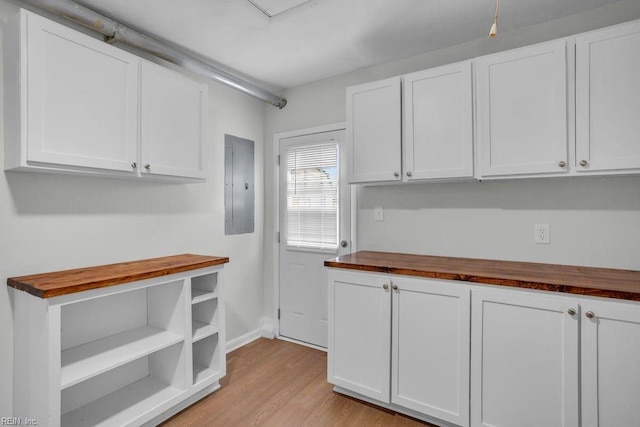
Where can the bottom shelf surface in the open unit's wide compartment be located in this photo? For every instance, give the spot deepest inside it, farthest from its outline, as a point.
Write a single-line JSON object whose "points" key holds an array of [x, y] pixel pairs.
{"points": [[123, 406]]}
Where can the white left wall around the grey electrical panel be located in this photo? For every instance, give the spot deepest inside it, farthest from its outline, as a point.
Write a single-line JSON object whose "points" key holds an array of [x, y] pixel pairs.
{"points": [[52, 222]]}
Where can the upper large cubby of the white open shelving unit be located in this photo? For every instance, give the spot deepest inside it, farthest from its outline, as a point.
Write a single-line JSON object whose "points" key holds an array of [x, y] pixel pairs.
{"points": [[103, 333]]}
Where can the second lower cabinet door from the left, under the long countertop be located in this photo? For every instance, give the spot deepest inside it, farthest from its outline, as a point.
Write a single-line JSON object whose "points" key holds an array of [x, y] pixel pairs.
{"points": [[430, 348]]}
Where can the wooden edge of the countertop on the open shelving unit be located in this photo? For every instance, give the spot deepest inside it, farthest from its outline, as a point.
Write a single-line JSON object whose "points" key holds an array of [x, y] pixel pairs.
{"points": [[110, 281]]}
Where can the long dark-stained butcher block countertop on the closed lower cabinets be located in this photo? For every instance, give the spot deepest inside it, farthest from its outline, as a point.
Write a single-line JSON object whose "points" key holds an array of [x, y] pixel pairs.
{"points": [[598, 282]]}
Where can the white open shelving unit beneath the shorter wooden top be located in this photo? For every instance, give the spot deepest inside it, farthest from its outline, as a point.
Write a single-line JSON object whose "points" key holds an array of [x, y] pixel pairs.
{"points": [[125, 355]]}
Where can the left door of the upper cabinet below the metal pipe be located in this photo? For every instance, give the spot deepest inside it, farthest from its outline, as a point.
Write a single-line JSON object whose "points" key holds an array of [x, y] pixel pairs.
{"points": [[82, 98]]}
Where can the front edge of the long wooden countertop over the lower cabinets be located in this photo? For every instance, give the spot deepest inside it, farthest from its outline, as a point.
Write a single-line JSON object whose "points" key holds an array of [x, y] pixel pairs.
{"points": [[490, 280]]}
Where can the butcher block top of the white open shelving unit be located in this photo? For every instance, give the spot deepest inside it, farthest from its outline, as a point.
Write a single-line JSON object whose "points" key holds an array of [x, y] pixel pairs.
{"points": [[49, 285]]}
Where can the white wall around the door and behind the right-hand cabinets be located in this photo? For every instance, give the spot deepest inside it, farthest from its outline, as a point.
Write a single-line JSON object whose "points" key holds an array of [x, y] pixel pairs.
{"points": [[594, 221]]}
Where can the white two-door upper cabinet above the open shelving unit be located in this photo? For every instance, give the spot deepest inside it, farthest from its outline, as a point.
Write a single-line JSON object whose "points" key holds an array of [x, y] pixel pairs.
{"points": [[75, 104]]}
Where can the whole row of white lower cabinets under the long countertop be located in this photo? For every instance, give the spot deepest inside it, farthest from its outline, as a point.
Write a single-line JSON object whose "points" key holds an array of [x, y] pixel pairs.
{"points": [[465, 354]]}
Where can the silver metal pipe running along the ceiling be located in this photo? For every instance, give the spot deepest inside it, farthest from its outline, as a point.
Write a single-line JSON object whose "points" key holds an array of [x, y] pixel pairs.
{"points": [[117, 32]]}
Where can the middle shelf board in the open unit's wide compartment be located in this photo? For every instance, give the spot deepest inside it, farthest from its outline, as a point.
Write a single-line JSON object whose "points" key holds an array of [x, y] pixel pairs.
{"points": [[88, 360]]}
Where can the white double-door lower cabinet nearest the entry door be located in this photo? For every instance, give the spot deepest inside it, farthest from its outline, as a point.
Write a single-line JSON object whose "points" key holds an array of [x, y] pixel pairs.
{"points": [[417, 358]]}
